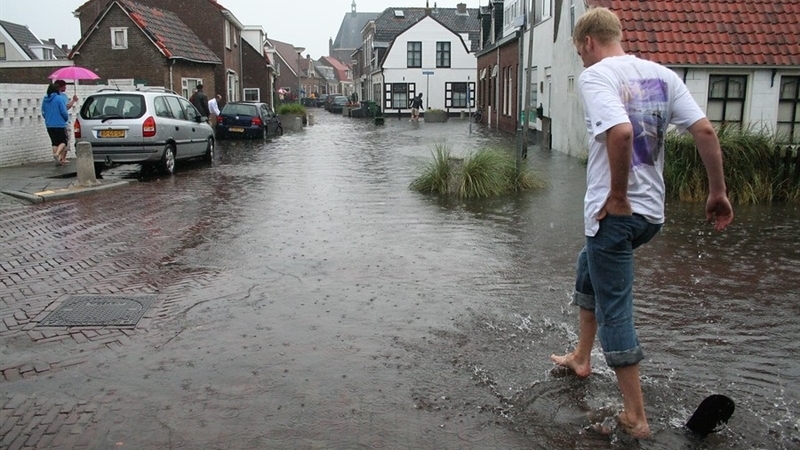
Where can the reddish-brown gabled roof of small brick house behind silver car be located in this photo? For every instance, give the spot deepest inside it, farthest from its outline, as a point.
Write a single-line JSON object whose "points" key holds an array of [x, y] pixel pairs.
{"points": [[167, 32]]}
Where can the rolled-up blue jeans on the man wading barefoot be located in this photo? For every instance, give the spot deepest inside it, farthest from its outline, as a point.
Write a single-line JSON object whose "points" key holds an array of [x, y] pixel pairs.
{"points": [[604, 284]]}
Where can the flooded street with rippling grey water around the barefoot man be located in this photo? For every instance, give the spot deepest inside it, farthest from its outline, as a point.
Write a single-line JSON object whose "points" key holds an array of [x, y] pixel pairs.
{"points": [[308, 299]]}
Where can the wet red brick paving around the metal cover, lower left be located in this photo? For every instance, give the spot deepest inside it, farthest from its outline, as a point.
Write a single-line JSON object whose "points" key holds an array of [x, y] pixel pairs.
{"points": [[78, 247]]}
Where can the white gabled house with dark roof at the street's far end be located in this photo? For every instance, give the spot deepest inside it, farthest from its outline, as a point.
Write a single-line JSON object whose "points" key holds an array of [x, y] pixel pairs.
{"points": [[422, 50]]}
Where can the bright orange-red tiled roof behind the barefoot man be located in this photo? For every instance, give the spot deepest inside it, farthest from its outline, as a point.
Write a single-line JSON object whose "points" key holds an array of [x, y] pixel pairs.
{"points": [[711, 32]]}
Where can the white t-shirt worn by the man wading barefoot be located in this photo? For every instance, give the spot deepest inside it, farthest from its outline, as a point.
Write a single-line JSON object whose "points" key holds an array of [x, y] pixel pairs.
{"points": [[626, 89]]}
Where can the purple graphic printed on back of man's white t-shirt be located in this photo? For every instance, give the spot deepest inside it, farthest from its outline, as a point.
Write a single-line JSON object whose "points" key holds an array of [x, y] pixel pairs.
{"points": [[645, 102]]}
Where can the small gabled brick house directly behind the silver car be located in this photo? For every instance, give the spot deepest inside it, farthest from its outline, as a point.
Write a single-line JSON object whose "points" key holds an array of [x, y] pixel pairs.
{"points": [[133, 43]]}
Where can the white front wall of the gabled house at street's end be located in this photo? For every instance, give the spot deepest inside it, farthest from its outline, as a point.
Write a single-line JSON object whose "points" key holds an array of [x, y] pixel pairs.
{"points": [[428, 31]]}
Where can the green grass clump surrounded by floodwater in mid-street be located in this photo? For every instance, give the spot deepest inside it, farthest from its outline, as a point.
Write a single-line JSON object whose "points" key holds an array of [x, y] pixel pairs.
{"points": [[485, 173]]}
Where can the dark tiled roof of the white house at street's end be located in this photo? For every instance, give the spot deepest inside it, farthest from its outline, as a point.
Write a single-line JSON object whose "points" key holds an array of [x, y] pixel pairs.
{"points": [[393, 21]]}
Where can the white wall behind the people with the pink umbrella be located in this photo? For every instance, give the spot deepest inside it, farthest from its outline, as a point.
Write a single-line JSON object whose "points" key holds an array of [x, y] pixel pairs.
{"points": [[23, 136]]}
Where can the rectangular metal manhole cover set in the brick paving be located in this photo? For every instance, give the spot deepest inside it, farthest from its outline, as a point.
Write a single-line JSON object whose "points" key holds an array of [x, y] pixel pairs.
{"points": [[99, 310]]}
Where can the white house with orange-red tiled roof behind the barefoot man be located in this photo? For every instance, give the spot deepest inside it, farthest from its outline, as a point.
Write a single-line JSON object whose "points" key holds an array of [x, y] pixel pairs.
{"points": [[740, 60]]}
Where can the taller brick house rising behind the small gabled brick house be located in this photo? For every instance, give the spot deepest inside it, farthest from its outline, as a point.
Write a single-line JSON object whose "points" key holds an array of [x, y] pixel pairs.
{"points": [[216, 27]]}
